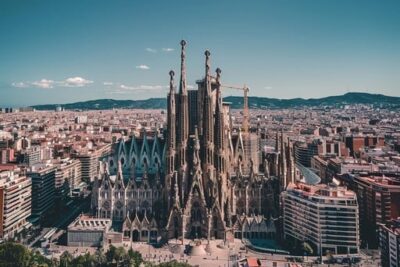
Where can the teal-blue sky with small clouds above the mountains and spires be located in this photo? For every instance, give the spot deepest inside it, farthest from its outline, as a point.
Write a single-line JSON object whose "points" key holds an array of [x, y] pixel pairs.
{"points": [[65, 51]]}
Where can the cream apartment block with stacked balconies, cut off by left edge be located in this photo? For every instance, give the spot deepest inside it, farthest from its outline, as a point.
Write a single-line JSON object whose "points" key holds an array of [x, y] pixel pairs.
{"points": [[15, 202]]}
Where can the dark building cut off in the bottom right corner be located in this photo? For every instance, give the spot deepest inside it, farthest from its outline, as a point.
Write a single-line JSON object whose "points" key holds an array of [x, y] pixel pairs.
{"points": [[389, 243]]}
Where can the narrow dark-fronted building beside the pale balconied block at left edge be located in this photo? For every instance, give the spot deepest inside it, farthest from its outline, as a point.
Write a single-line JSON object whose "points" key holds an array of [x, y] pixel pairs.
{"points": [[43, 189]]}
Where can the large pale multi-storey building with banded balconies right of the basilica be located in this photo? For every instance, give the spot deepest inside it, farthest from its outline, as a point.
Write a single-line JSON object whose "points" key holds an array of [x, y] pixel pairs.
{"points": [[325, 216]]}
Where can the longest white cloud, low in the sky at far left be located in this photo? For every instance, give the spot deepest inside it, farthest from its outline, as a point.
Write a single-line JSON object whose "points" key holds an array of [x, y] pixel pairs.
{"points": [[47, 84]]}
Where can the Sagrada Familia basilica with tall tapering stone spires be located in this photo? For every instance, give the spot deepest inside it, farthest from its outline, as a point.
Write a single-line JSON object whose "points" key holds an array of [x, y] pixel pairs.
{"points": [[201, 178]]}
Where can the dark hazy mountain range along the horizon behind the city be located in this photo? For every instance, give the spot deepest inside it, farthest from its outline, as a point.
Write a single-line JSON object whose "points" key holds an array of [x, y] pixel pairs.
{"points": [[237, 102]]}
